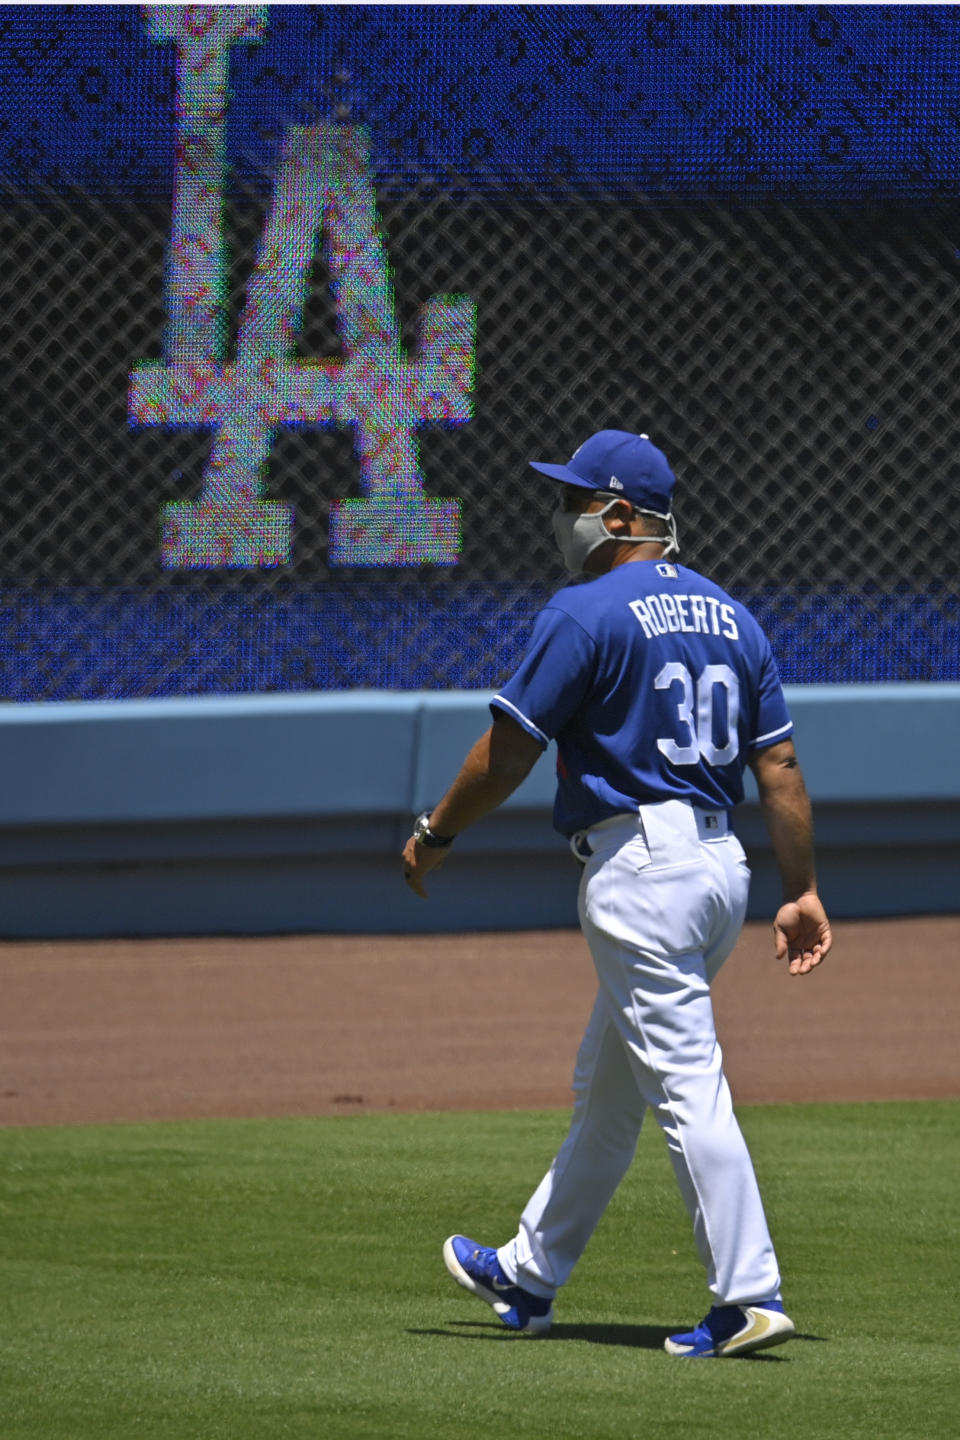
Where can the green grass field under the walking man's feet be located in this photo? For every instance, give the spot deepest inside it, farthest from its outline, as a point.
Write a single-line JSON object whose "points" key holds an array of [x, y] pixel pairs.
{"points": [[284, 1278]]}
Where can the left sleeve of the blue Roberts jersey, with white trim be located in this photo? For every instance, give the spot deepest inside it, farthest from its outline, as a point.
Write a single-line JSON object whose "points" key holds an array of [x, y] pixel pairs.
{"points": [[553, 676]]}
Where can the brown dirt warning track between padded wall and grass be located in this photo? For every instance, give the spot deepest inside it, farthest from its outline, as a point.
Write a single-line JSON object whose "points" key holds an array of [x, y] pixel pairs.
{"points": [[137, 1030]]}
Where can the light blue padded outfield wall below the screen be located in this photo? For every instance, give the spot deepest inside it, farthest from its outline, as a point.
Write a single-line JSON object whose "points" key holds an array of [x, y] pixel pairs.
{"points": [[267, 814]]}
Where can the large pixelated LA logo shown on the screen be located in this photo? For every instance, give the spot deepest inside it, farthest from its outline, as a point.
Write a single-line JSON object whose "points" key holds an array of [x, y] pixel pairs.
{"points": [[323, 194]]}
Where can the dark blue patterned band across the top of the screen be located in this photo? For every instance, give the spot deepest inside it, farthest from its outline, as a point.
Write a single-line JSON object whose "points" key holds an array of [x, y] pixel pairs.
{"points": [[804, 102]]}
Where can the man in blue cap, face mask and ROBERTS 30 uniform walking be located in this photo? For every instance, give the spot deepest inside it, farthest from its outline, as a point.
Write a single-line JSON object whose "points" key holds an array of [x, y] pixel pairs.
{"points": [[658, 689]]}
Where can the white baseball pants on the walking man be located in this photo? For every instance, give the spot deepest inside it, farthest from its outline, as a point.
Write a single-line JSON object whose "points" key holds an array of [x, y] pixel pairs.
{"points": [[663, 901]]}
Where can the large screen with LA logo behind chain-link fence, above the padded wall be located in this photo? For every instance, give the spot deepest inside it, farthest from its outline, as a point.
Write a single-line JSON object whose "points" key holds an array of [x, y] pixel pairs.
{"points": [[291, 294]]}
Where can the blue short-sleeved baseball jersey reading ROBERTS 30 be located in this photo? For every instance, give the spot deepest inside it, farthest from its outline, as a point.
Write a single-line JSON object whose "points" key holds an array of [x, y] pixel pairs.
{"points": [[656, 685]]}
